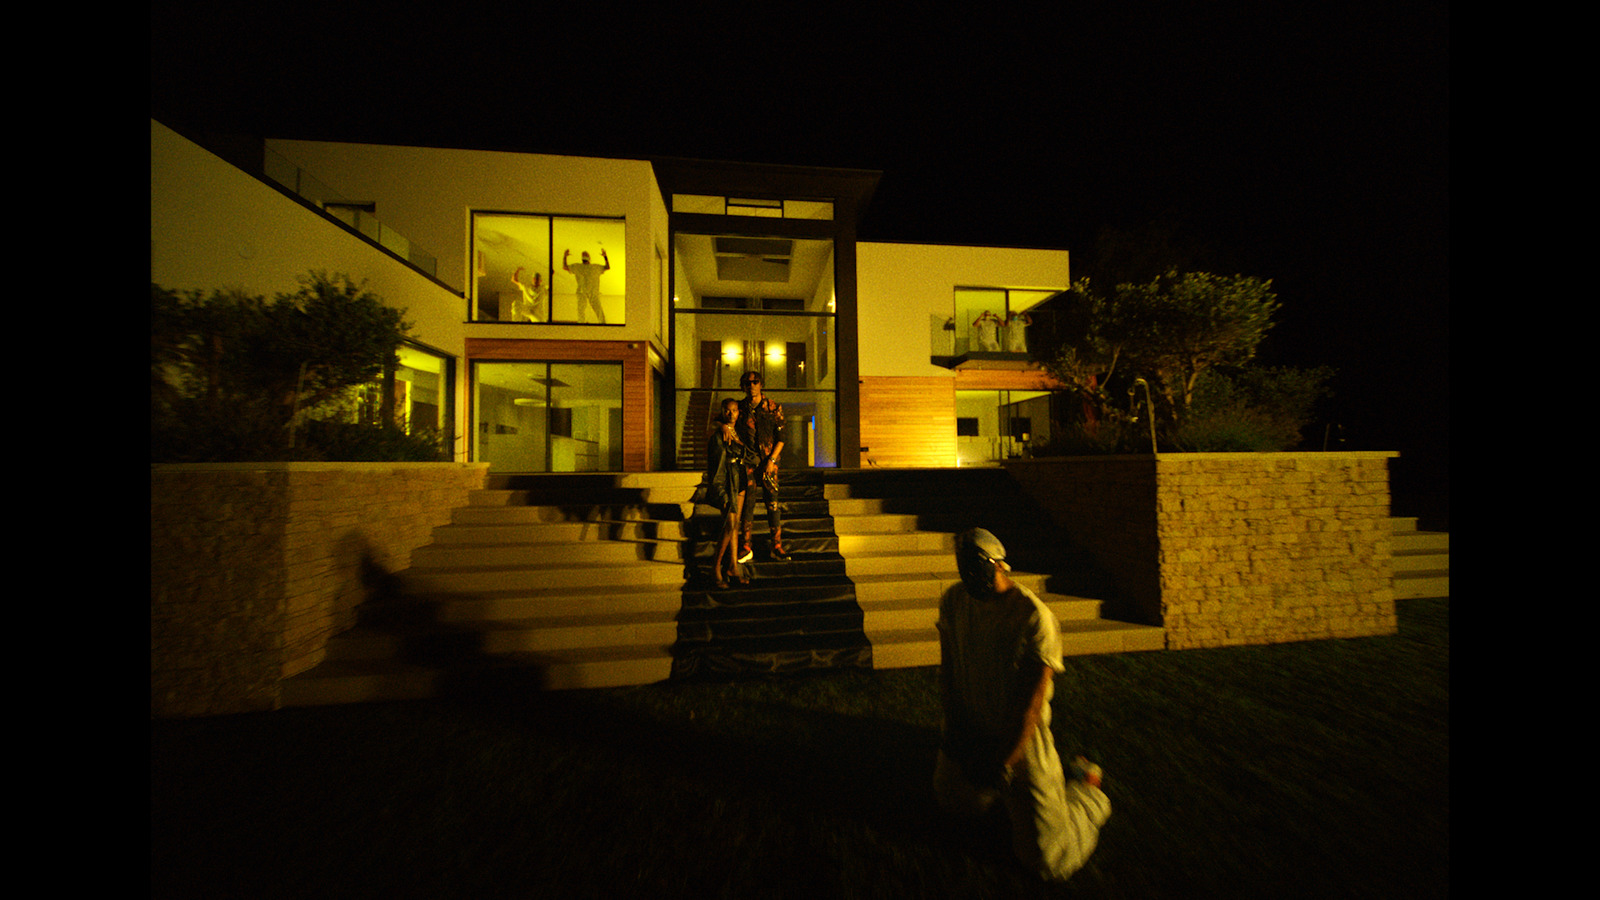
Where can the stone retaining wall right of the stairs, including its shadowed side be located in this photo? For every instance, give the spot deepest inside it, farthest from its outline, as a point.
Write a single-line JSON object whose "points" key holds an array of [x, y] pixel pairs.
{"points": [[1233, 548]]}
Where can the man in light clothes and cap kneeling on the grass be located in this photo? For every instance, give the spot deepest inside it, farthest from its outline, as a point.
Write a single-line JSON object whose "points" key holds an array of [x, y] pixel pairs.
{"points": [[999, 656]]}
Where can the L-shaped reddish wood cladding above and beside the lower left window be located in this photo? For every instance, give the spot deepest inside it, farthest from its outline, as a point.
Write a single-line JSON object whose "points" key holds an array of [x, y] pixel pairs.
{"points": [[639, 409]]}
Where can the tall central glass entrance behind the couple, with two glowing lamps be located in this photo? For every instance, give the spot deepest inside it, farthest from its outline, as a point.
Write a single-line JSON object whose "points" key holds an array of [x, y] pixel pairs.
{"points": [[758, 305]]}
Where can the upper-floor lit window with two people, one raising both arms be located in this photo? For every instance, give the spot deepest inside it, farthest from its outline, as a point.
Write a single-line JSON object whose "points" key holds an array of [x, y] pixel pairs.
{"points": [[562, 270]]}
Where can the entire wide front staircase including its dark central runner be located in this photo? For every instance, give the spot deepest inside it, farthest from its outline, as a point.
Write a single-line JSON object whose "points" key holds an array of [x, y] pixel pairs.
{"points": [[559, 582]]}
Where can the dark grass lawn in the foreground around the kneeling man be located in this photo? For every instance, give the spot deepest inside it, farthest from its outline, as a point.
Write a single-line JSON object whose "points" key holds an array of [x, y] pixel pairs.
{"points": [[1318, 769]]}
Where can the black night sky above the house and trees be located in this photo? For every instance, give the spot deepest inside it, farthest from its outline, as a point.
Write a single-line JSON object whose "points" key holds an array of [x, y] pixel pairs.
{"points": [[1303, 142]]}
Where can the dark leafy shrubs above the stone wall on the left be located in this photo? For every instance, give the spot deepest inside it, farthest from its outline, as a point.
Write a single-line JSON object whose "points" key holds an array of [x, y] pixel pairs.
{"points": [[234, 376]]}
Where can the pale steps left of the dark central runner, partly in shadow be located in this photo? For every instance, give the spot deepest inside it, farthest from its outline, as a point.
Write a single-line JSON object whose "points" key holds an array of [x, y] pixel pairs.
{"points": [[551, 581]]}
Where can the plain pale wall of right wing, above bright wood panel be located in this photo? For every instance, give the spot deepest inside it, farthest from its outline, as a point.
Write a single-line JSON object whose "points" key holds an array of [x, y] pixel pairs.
{"points": [[903, 287]]}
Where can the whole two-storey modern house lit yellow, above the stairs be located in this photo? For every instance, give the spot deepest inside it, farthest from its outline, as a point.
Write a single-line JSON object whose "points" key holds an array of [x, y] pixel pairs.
{"points": [[585, 315]]}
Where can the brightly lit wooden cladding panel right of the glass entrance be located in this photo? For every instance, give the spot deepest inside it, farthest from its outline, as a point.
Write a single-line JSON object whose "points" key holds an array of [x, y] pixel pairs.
{"points": [[908, 422]]}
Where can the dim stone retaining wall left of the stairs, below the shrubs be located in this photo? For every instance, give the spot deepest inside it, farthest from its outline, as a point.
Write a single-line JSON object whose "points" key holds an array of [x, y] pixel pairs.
{"points": [[255, 566]]}
